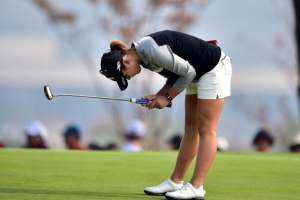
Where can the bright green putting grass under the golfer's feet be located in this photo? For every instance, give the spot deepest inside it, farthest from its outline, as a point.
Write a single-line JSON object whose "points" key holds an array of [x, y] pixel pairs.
{"points": [[54, 174]]}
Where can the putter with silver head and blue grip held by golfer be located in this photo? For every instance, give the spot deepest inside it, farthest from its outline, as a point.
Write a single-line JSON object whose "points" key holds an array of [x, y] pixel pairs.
{"points": [[50, 96]]}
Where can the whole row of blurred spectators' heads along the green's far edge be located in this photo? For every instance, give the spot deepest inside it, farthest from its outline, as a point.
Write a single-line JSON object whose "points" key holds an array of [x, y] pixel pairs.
{"points": [[36, 137]]}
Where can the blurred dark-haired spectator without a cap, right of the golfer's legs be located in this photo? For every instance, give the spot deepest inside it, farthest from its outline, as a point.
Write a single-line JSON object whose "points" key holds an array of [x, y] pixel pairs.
{"points": [[263, 141]]}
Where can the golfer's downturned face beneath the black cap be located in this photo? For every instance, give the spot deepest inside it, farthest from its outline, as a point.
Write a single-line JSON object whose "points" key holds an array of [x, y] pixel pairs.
{"points": [[131, 63]]}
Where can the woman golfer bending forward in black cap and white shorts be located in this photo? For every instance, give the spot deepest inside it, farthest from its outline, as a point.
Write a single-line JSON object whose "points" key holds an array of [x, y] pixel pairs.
{"points": [[188, 63]]}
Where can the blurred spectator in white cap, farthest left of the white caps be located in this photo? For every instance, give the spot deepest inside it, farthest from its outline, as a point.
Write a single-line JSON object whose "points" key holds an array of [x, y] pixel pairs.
{"points": [[36, 134]]}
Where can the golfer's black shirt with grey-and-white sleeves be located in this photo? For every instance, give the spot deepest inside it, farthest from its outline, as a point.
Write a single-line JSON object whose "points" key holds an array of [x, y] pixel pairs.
{"points": [[179, 57]]}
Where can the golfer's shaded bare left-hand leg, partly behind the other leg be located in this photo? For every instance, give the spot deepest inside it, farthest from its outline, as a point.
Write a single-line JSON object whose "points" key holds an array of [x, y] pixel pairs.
{"points": [[189, 144]]}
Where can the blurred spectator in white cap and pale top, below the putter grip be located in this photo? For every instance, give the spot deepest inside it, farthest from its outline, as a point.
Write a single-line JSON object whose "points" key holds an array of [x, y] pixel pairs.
{"points": [[134, 134]]}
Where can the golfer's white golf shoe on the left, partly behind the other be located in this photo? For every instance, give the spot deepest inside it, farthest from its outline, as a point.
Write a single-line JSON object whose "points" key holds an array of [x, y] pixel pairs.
{"points": [[166, 186]]}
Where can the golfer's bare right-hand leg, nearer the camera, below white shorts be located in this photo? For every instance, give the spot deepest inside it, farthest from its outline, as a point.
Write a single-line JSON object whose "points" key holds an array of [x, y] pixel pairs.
{"points": [[208, 113]]}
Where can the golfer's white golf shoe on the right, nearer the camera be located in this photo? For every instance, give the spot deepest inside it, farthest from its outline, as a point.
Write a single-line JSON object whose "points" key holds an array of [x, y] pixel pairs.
{"points": [[187, 192]]}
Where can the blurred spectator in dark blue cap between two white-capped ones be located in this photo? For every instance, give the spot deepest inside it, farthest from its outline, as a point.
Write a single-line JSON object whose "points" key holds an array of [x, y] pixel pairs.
{"points": [[72, 138]]}
